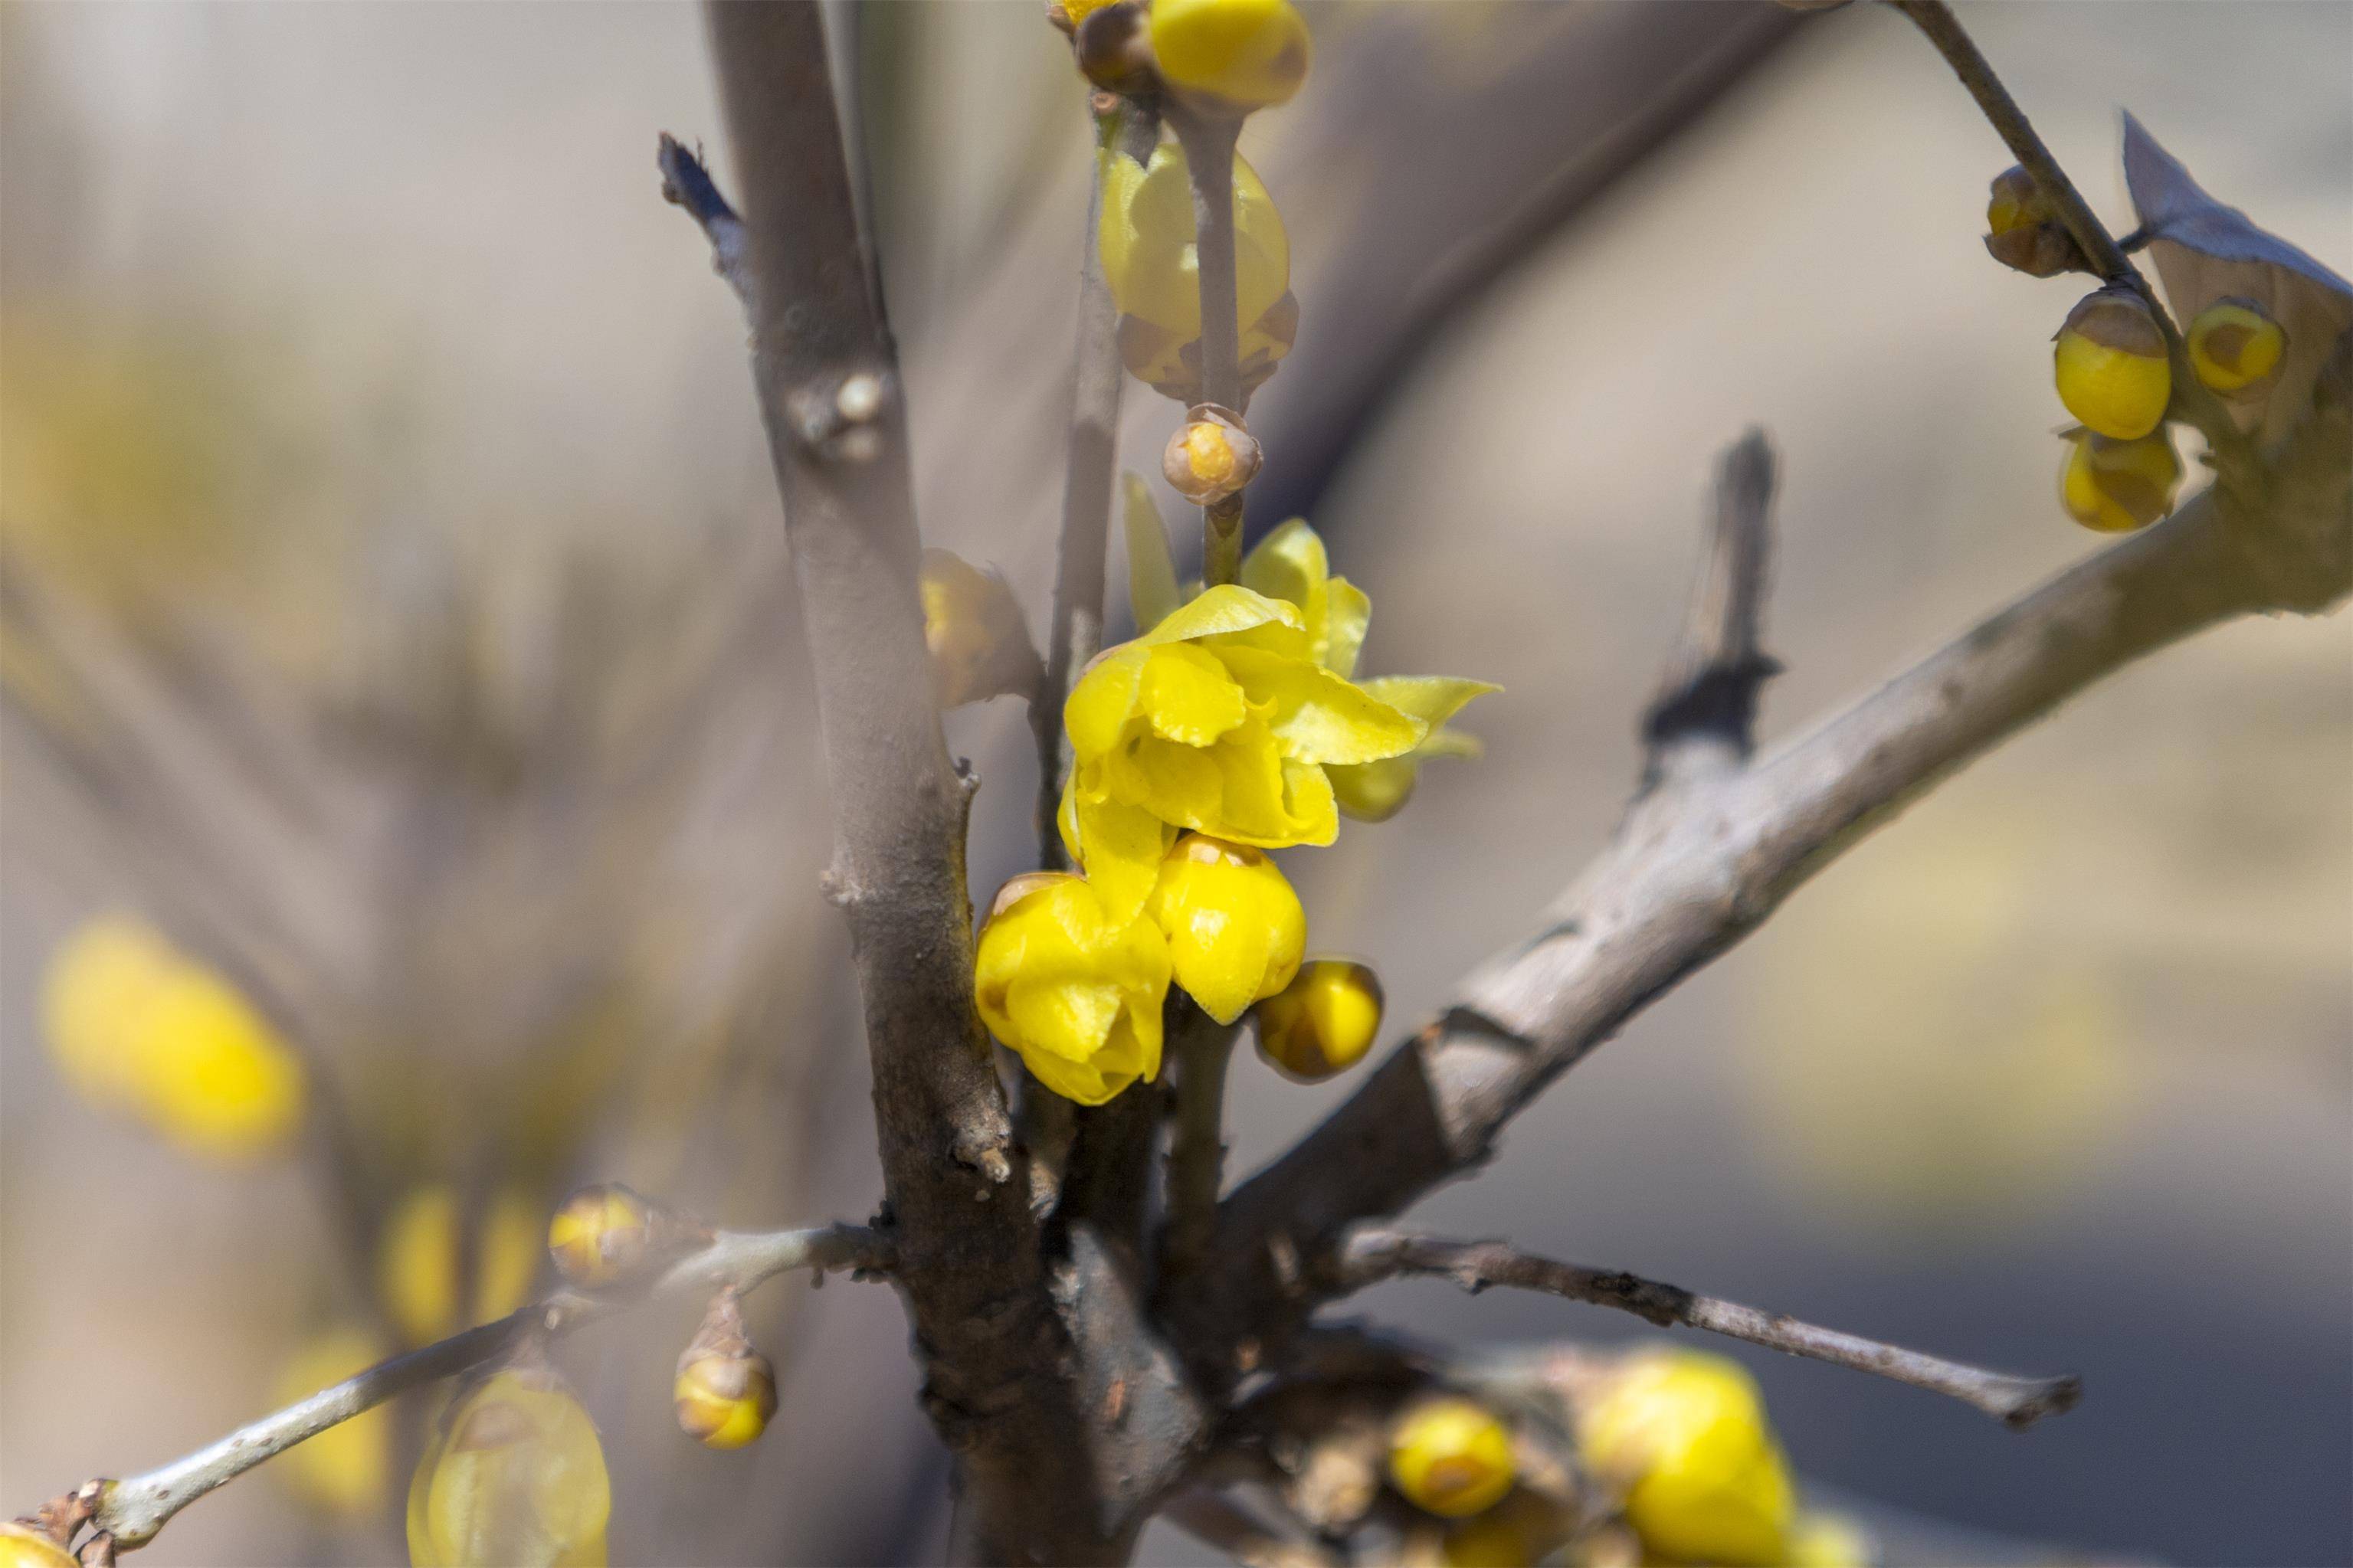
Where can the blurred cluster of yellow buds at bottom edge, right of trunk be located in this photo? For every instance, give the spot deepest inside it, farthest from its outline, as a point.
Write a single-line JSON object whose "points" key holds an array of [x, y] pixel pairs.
{"points": [[1677, 1438]]}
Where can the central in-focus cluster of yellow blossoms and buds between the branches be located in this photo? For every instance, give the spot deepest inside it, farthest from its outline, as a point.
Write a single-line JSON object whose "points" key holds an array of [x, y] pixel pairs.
{"points": [[1229, 728]]}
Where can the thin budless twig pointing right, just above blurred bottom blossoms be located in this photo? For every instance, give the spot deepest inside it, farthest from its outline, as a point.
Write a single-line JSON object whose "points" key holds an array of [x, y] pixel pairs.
{"points": [[1371, 1257]]}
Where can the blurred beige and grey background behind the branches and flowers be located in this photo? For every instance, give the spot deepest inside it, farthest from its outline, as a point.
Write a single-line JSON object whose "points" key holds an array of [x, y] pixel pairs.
{"points": [[396, 624]]}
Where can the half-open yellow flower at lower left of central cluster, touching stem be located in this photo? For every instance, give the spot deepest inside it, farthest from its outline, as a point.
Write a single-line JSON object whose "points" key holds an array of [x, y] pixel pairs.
{"points": [[1074, 986]]}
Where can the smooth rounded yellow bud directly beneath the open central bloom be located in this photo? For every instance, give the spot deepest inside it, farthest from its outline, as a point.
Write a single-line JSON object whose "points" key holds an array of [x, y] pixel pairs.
{"points": [[1234, 923]]}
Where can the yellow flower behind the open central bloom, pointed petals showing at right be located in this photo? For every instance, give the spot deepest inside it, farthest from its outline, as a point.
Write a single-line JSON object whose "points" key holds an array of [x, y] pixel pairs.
{"points": [[1293, 565]]}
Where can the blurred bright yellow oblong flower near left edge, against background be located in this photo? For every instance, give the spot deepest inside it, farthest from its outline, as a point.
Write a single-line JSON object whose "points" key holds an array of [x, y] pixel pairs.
{"points": [[138, 1026]]}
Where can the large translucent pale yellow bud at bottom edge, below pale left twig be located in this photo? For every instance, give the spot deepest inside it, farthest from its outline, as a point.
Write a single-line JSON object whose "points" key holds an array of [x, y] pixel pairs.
{"points": [[512, 1475]]}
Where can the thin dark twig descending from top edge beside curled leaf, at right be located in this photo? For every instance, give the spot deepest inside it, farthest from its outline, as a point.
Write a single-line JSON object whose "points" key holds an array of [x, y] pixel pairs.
{"points": [[2232, 450]]}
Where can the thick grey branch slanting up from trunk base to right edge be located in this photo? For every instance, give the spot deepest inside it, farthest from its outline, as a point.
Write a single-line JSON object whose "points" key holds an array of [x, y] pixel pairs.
{"points": [[1686, 878]]}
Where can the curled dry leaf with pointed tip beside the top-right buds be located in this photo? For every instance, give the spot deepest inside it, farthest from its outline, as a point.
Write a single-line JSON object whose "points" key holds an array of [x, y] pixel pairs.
{"points": [[2206, 253]]}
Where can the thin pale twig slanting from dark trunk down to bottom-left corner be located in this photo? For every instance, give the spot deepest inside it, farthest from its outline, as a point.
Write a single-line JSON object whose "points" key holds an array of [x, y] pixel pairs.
{"points": [[138, 1508]]}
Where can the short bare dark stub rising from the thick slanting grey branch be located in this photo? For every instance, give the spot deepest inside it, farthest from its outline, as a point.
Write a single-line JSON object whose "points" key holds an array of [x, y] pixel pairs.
{"points": [[1705, 713]]}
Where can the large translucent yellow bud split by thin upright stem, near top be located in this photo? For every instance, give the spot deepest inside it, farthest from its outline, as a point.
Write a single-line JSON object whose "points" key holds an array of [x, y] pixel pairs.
{"points": [[1147, 243]]}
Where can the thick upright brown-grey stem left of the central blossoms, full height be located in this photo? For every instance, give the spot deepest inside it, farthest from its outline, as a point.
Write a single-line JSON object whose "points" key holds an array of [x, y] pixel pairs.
{"points": [[1022, 1348]]}
